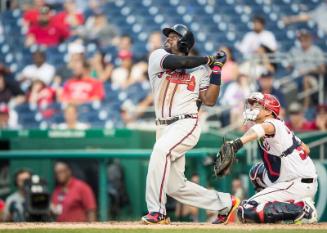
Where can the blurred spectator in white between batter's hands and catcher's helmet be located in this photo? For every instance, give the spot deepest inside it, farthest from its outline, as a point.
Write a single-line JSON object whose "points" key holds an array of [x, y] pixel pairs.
{"points": [[234, 96]]}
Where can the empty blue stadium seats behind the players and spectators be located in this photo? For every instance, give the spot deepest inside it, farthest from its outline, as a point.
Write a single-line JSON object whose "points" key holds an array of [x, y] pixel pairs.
{"points": [[215, 23]]}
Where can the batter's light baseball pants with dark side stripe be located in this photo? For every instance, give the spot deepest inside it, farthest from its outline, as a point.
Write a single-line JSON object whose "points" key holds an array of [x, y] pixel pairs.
{"points": [[167, 166]]}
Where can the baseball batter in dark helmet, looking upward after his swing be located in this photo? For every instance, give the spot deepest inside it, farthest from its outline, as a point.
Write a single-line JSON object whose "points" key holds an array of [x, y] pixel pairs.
{"points": [[178, 81]]}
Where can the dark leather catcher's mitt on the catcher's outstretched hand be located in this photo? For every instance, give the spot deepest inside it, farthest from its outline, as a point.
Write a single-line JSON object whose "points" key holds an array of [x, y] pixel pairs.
{"points": [[225, 159]]}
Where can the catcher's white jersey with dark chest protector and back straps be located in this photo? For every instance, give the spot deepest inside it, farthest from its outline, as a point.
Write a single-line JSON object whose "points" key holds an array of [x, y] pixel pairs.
{"points": [[290, 166]]}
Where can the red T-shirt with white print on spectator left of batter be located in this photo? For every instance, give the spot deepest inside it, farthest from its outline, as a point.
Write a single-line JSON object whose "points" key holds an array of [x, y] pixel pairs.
{"points": [[82, 90]]}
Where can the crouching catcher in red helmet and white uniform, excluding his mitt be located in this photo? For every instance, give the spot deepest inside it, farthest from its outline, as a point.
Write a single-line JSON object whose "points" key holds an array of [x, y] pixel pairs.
{"points": [[286, 180]]}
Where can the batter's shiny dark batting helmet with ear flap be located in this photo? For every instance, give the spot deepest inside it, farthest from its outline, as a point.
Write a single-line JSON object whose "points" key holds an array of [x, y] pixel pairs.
{"points": [[186, 40]]}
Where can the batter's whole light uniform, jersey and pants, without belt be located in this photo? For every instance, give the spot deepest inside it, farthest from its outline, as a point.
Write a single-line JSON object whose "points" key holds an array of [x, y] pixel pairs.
{"points": [[175, 93]]}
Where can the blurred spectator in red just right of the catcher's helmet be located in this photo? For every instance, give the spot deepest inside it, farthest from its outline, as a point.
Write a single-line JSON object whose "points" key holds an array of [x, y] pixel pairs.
{"points": [[297, 121]]}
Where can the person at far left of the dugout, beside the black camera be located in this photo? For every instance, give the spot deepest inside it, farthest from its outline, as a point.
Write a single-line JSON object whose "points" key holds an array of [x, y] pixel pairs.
{"points": [[14, 207]]}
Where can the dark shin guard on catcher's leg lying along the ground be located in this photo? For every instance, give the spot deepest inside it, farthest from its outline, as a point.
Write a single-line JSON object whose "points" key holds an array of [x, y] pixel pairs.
{"points": [[270, 212]]}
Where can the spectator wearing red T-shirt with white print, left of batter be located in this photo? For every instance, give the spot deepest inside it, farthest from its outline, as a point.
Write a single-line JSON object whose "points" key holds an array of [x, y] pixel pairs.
{"points": [[80, 88]]}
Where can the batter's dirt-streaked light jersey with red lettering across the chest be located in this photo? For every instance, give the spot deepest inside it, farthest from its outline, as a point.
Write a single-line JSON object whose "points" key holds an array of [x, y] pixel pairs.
{"points": [[175, 91]]}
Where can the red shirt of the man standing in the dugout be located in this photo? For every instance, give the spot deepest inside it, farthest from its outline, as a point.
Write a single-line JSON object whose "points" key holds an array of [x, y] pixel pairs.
{"points": [[75, 200]]}
